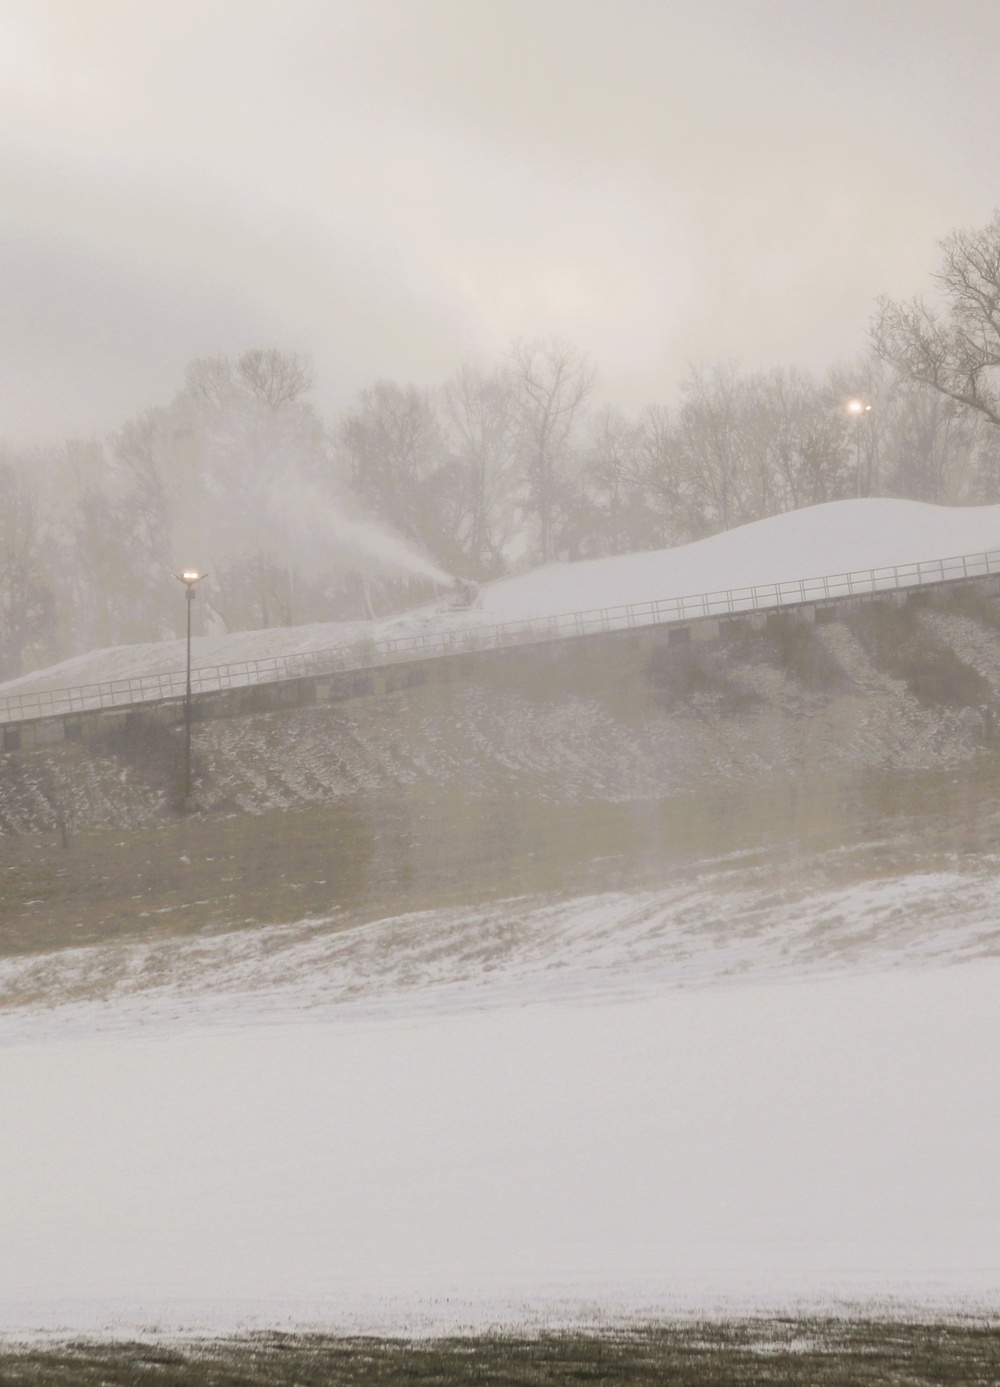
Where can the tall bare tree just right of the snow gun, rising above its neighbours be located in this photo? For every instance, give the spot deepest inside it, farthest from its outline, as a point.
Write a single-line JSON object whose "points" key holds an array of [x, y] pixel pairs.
{"points": [[553, 379]]}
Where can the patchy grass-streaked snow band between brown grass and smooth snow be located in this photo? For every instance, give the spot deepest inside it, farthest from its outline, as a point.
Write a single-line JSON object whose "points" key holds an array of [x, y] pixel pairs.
{"points": [[730, 922]]}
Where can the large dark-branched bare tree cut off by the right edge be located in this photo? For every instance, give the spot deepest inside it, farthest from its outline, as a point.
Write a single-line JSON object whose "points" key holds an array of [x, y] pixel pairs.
{"points": [[956, 352]]}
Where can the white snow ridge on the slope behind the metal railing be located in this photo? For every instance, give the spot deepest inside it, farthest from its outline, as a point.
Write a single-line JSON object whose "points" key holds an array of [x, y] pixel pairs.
{"points": [[826, 540]]}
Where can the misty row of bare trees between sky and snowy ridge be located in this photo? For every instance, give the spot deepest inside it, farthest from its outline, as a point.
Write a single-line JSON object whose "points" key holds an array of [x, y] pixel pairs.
{"points": [[504, 465]]}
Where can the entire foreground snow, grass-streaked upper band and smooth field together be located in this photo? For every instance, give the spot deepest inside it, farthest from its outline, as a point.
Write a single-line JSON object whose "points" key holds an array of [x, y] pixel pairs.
{"points": [[704, 1099]]}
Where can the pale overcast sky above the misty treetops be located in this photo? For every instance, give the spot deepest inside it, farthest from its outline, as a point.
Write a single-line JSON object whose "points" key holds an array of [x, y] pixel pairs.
{"points": [[390, 185]]}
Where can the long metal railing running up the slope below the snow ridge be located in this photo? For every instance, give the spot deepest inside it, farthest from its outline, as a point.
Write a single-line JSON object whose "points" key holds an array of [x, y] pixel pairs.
{"points": [[381, 651]]}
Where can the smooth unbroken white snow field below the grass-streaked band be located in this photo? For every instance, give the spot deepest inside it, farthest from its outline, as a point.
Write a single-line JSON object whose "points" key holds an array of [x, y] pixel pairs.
{"points": [[834, 1137]]}
